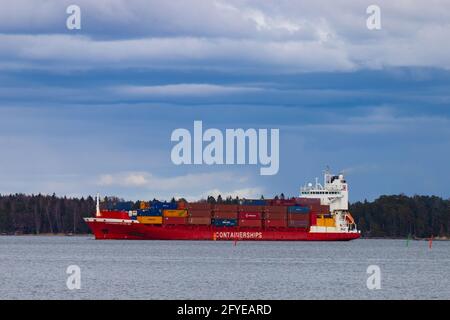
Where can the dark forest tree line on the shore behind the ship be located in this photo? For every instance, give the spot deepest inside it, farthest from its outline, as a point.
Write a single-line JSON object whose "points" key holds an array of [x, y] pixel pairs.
{"points": [[387, 216]]}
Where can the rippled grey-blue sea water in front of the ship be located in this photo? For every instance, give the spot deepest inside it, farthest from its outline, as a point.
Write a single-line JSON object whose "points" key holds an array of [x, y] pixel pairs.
{"points": [[35, 268]]}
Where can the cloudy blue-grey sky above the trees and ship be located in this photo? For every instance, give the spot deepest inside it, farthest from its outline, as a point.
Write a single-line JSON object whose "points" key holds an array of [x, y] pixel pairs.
{"points": [[92, 110]]}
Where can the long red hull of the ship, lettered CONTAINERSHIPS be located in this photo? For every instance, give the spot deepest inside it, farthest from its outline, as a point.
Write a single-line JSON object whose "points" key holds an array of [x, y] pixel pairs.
{"points": [[104, 229]]}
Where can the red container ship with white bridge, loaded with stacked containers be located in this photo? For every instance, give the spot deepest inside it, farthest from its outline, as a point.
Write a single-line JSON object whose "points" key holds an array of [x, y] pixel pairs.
{"points": [[320, 213]]}
